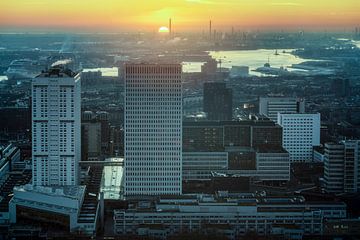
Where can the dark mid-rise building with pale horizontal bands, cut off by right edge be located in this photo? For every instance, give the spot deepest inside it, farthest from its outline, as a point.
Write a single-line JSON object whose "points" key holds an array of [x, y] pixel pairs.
{"points": [[342, 166]]}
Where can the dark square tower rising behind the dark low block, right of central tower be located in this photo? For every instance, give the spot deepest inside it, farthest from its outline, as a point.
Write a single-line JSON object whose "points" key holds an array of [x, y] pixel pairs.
{"points": [[217, 101]]}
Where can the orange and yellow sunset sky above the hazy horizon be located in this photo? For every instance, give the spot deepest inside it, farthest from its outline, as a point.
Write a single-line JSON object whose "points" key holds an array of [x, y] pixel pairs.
{"points": [[148, 15]]}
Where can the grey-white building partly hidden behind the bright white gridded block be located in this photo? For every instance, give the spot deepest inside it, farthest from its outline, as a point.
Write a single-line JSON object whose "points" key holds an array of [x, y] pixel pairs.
{"points": [[271, 106]]}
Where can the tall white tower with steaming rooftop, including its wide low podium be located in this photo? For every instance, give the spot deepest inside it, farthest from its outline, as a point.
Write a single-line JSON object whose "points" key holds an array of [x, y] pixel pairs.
{"points": [[55, 195]]}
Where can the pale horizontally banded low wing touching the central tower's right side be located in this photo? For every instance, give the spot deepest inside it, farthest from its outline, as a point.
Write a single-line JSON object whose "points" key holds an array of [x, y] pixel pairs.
{"points": [[199, 165]]}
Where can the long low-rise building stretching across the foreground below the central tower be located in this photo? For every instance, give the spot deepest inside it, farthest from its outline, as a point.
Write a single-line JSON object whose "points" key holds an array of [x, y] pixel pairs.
{"points": [[232, 216]]}
